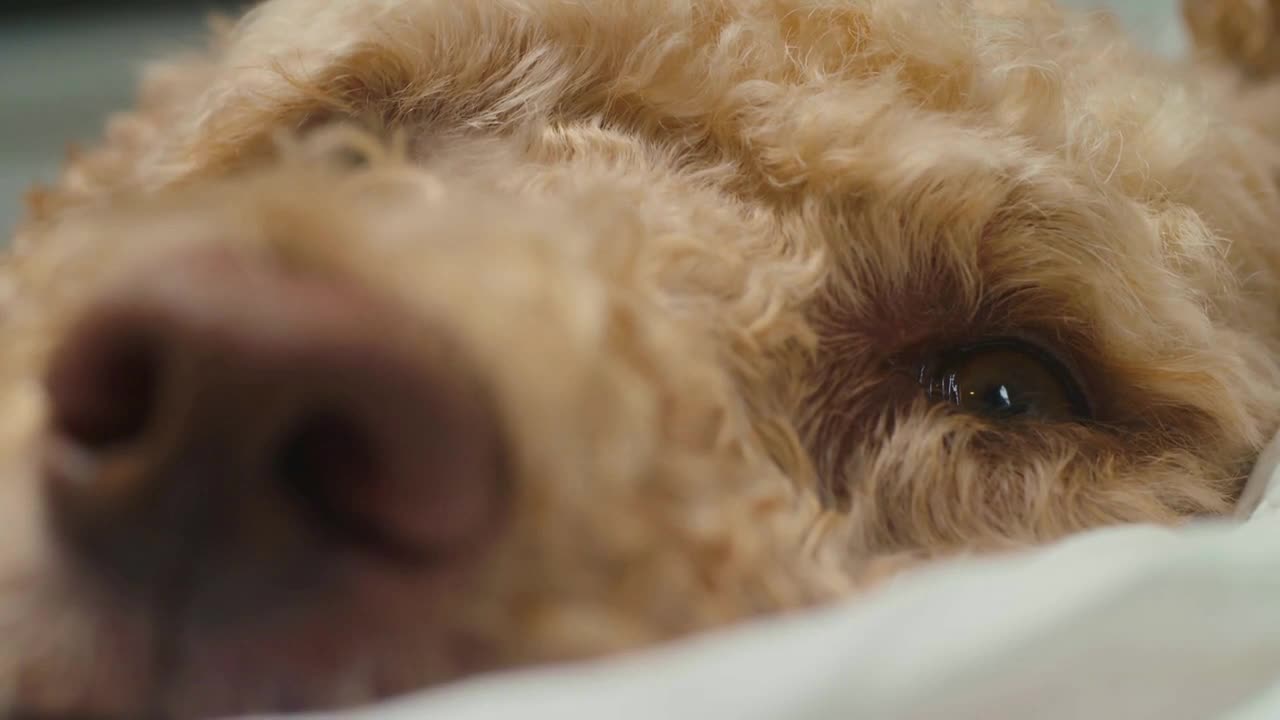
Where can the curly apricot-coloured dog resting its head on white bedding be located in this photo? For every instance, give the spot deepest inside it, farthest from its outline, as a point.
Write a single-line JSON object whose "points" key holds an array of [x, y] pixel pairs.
{"points": [[388, 343]]}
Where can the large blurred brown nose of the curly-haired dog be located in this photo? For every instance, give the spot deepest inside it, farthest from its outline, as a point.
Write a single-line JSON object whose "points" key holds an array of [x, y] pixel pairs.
{"points": [[220, 405]]}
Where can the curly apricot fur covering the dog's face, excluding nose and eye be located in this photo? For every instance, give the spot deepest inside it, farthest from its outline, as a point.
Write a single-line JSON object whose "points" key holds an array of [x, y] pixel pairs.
{"points": [[691, 245]]}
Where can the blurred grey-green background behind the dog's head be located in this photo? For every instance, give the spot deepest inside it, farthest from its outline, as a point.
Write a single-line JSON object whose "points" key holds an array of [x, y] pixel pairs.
{"points": [[66, 65]]}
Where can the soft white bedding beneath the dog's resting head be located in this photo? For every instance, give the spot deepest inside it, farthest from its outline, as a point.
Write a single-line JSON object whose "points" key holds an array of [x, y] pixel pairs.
{"points": [[1127, 623]]}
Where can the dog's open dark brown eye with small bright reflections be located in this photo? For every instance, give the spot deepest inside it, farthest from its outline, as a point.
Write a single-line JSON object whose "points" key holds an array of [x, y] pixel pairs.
{"points": [[1005, 380]]}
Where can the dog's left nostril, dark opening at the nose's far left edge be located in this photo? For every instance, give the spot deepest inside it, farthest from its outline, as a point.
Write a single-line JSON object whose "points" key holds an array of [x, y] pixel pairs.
{"points": [[103, 384]]}
